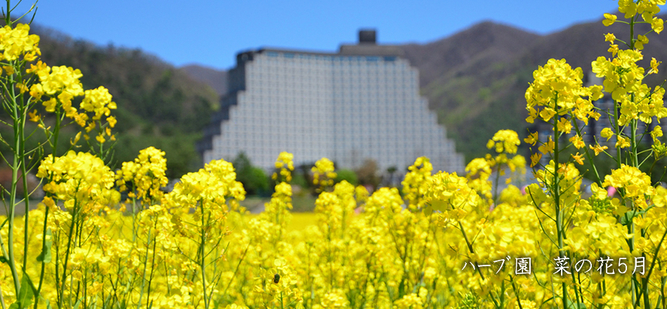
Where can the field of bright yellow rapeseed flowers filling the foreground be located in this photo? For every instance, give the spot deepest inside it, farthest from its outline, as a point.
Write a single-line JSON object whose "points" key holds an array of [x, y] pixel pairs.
{"points": [[442, 241]]}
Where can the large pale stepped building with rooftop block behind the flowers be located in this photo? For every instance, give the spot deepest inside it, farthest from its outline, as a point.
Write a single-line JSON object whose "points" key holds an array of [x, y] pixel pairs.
{"points": [[360, 103]]}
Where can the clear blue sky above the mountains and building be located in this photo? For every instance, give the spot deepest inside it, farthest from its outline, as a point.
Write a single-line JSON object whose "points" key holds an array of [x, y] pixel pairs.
{"points": [[211, 32]]}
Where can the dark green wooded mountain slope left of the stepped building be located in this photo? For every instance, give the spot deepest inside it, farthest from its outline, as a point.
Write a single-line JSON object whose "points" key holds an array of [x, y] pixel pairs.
{"points": [[158, 105]]}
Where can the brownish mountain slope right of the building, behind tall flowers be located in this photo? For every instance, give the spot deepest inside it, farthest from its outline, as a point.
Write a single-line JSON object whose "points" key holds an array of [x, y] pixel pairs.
{"points": [[483, 91]]}
